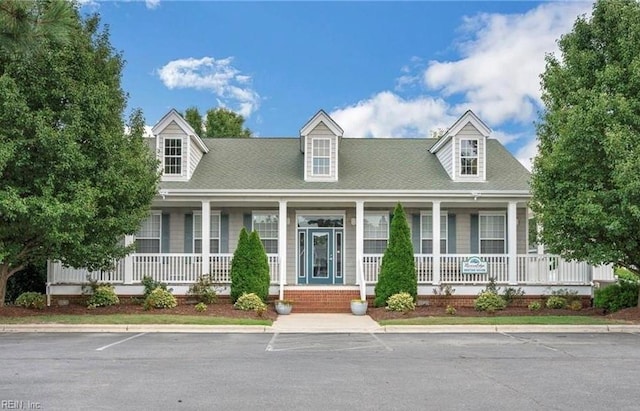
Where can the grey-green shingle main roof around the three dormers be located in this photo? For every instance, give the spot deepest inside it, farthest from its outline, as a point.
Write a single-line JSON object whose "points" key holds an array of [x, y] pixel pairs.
{"points": [[364, 164]]}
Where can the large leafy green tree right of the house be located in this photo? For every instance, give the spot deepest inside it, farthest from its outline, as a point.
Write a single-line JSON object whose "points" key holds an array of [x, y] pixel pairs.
{"points": [[586, 190]]}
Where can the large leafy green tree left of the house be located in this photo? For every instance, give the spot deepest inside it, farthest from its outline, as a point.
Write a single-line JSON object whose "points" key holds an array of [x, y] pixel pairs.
{"points": [[72, 182]]}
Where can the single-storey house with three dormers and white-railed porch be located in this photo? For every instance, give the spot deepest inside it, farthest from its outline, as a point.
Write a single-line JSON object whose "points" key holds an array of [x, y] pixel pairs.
{"points": [[322, 204]]}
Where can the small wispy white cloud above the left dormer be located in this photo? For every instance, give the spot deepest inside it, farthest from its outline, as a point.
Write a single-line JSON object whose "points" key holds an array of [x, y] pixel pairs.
{"points": [[231, 88]]}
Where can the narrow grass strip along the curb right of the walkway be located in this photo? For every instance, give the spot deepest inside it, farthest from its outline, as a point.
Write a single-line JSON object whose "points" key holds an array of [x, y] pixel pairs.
{"points": [[507, 320]]}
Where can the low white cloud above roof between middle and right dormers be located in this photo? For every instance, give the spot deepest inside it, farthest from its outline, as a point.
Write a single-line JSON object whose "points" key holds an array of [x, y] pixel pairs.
{"points": [[388, 115]]}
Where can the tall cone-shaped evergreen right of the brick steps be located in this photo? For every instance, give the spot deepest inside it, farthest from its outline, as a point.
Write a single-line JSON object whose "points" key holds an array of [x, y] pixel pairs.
{"points": [[397, 271]]}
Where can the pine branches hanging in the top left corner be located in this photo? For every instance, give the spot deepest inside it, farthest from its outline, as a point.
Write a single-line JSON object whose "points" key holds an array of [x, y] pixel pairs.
{"points": [[24, 23]]}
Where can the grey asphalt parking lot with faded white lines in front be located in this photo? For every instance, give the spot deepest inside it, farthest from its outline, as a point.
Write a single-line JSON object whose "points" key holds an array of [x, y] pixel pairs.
{"points": [[319, 371]]}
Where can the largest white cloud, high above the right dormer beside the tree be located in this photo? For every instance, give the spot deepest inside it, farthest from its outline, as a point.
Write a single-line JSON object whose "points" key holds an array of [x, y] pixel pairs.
{"points": [[498, 74]]}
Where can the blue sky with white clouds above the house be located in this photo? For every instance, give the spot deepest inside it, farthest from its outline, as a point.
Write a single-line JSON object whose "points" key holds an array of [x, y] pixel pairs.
{"points": [[379, 69]]}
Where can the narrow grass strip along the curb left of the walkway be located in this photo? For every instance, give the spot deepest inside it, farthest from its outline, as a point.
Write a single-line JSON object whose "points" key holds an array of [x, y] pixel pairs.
{"points": [[132, 319]]}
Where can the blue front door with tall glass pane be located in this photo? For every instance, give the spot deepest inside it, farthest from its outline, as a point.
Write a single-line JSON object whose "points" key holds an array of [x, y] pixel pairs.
{"points": [[320, 253]]}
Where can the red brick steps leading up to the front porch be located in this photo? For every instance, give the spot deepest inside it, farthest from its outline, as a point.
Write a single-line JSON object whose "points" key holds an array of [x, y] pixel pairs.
{"points": [[321, 301]]}
